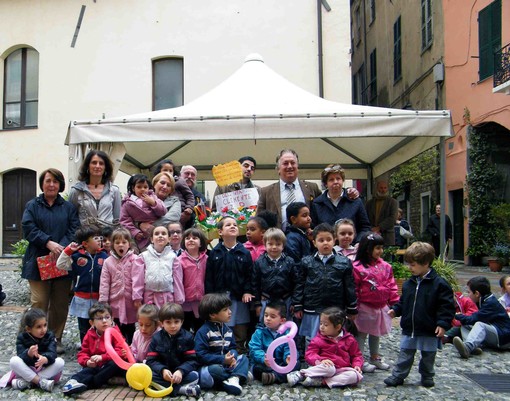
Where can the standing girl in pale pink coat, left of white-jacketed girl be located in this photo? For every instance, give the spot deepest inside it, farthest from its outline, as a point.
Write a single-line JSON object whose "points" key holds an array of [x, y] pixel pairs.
{"points": [[121, 283]]}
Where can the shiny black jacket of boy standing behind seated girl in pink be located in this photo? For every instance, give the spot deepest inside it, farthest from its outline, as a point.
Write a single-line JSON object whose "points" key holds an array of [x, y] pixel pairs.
{"points": [[320, 285]]}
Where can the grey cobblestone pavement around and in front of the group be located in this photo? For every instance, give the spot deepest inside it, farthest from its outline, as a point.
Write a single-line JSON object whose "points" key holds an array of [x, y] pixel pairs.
{"points": [[450, 382]]}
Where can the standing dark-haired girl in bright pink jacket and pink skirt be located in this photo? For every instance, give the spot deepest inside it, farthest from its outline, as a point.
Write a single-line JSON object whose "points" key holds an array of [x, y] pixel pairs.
{"points": [[376, 291]]}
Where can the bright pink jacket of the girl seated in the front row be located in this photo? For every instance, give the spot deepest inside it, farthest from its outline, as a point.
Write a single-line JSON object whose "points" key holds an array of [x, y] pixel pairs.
{"points": [[342, 351]]}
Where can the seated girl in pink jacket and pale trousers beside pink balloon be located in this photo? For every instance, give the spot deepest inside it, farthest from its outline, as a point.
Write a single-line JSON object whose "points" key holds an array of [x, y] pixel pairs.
{"points": [[333, 354]]}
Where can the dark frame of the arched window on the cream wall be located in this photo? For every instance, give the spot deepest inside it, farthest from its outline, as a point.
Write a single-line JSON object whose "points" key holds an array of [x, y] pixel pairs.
{"points": [[23, 92]]}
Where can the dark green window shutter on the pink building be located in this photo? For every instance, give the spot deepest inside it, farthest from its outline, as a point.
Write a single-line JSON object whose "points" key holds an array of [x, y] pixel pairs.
{"points": [[489, 37]]}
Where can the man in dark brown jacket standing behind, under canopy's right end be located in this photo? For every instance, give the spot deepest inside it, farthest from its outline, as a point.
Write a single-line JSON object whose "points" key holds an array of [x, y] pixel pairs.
{"points": [[382, 212]]}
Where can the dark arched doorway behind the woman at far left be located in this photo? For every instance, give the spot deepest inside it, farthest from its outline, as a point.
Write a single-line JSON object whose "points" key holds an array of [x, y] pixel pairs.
{"points": [[19, 186]]}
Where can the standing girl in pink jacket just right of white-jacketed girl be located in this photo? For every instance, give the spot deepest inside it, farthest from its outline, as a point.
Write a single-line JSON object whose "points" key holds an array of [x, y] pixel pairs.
{"points": [[193, 262]]}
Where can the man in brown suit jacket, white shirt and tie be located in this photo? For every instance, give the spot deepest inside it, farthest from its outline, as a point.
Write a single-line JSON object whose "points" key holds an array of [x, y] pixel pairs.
{"points": [[274, 197]]}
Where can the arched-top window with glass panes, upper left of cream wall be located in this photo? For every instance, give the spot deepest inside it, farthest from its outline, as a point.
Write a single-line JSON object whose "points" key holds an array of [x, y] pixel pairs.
{"points": [[21, 89]]}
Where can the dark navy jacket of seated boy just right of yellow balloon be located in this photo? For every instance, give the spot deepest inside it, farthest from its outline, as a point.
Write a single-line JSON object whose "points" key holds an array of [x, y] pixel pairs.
{"points": [[172, 352]]}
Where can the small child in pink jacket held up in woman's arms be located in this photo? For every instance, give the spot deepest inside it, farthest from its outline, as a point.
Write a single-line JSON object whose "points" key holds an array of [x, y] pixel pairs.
{"points": [[140, 205]]}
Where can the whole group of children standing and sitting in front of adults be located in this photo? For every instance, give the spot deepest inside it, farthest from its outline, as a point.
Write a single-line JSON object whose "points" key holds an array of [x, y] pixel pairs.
{"points": [[338, 294]]}
